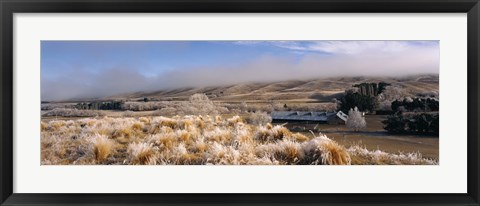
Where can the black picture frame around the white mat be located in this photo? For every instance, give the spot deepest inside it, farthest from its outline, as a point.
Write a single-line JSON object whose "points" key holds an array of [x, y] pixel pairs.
{"points": [[10, 7]]}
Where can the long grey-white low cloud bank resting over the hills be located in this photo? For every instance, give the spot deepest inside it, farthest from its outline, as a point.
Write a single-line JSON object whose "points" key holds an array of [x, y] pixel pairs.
{"points": [[401, 62]]}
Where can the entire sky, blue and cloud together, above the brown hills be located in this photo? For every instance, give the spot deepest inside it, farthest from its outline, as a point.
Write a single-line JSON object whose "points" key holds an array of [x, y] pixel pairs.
{"points": [[91, 69]]}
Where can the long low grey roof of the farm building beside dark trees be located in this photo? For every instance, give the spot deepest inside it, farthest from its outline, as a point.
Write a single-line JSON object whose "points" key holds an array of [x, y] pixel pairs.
{"points": [[302, 116]]}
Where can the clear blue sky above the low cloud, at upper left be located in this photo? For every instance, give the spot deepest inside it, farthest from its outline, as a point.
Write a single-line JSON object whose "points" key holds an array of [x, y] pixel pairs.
{"points": [[149, 58]]}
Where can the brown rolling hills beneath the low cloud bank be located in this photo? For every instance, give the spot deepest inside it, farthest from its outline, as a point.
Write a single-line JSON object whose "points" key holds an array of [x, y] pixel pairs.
{"points": [[292, 90]]}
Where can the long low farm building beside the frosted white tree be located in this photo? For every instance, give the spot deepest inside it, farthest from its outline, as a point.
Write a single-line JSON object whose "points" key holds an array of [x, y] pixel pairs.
{"points": [[310, 117]]}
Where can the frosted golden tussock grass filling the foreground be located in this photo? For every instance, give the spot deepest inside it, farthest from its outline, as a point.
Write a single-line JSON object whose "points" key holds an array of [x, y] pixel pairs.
{"points": [[198, 140]]}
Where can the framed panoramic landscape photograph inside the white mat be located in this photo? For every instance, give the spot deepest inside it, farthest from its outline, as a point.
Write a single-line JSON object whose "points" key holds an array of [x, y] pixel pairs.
{"points": [[239, 102]]}
